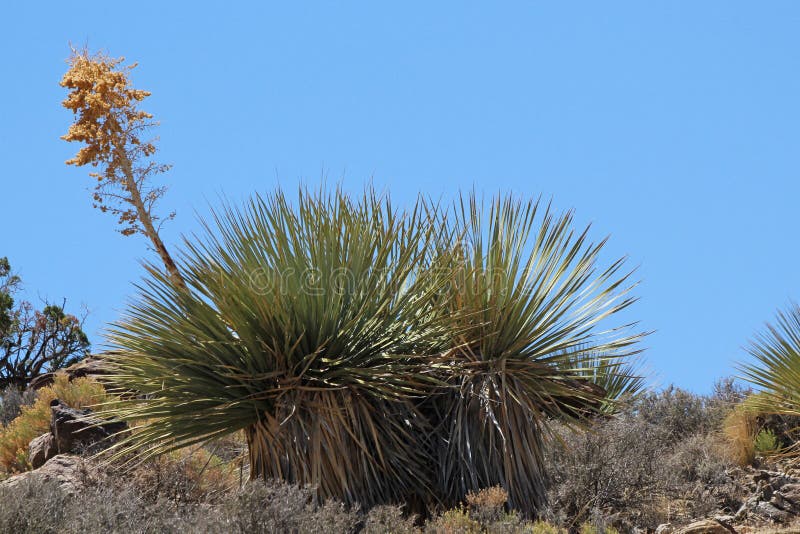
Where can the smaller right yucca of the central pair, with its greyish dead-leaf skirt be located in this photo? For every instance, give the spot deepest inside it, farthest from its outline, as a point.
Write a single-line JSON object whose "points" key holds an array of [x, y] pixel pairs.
{"points": [[531, 311]]}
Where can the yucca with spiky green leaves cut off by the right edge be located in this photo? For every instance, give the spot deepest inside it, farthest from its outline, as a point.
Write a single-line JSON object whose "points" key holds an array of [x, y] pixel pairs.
{"points": [[776, 370]]}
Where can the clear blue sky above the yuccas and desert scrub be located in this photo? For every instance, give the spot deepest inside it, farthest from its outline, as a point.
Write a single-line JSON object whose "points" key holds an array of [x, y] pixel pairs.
{"points": [[672, 126]]}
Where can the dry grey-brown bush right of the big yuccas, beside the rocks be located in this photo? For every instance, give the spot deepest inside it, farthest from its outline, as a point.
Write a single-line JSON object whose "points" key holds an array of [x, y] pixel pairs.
{"points": [[631, 465]]}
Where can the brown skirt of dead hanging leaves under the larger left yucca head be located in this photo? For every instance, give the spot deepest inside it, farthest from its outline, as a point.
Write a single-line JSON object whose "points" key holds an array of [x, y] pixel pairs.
{"points": [[345, 445]]}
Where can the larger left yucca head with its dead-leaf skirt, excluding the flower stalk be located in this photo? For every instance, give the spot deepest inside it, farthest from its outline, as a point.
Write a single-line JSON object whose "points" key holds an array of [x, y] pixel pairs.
{"points": [[305, 324]]}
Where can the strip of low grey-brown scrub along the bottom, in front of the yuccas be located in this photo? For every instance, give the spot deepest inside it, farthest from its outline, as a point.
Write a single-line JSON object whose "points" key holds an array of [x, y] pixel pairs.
{"points": [[113, 504]]}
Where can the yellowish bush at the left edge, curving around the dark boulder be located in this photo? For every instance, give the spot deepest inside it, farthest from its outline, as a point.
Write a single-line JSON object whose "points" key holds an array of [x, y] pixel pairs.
{"points": [[34, 420]]}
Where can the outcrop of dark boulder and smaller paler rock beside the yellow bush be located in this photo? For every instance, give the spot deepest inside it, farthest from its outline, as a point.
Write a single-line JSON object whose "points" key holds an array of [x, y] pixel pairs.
{"points": [[72, 430]]}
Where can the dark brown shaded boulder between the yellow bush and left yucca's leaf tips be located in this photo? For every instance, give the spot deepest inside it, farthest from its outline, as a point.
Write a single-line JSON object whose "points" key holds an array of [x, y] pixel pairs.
{"points": [[74, 429]]}
